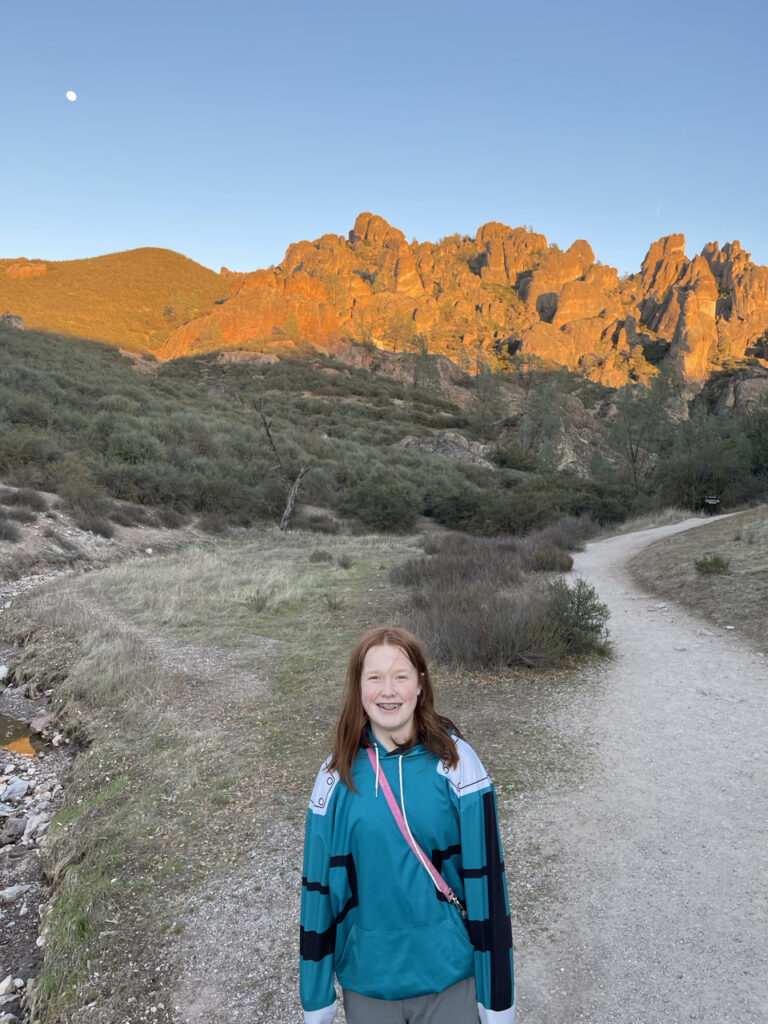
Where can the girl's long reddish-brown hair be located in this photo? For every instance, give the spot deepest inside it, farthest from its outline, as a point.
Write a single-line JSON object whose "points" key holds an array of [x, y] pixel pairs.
{"points": [[433, 731]]}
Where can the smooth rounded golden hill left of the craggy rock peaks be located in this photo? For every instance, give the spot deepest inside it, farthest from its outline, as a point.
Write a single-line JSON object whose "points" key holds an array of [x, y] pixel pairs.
{"points": [[132, 300]]}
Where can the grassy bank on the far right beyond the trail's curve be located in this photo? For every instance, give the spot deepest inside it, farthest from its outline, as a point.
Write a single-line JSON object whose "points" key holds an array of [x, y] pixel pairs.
{"points": [[739, 598]]}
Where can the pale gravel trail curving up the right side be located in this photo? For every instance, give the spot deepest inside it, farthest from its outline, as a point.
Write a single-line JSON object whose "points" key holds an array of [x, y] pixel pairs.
{"points": [[660, 851]]}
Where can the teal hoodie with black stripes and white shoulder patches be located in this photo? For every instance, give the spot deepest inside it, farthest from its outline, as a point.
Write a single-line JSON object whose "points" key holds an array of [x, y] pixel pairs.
{"points": [[371, 914]]}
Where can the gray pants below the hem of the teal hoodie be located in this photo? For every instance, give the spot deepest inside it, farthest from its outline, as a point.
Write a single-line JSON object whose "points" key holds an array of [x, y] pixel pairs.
{"points": [[457, 1005]]}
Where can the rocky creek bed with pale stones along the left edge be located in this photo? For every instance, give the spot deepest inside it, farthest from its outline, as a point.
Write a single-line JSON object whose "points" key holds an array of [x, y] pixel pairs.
{"points": [[31, 789]]}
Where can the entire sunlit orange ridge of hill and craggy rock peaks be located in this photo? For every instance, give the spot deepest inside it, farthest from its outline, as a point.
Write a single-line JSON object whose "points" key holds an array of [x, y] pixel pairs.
{"points": [[503, 297]]}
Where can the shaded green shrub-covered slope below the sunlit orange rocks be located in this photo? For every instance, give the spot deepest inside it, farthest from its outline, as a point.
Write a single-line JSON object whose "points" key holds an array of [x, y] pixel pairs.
{"points": [[77, 419]]}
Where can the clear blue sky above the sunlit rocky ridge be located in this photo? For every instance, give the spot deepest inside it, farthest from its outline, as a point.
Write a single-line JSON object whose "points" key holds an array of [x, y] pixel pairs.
{"points": [[228, 131]]}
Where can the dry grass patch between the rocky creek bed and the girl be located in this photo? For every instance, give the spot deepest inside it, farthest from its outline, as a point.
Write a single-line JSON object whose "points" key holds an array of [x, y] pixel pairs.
{"points": [[167, 670]]}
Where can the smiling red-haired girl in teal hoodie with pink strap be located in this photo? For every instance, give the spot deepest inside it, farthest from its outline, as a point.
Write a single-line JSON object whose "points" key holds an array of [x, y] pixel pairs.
{"points": [[404, 892]]}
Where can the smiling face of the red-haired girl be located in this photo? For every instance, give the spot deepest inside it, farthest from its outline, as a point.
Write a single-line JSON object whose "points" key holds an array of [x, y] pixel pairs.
{"points": [[390, 689]]}
